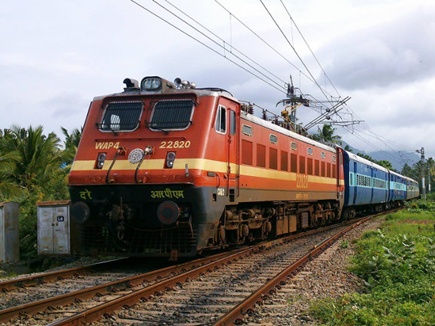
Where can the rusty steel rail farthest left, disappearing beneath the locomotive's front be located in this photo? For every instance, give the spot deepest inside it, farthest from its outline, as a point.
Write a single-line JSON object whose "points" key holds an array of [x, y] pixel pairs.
{"points": [[54, 275]]}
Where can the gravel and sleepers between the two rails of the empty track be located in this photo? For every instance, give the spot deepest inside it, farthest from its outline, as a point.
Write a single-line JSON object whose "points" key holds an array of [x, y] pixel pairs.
{"points": [[202, 300]]}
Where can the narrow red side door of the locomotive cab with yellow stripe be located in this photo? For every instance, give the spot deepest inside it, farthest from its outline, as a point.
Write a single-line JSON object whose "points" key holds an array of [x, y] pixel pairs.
{"points": [[233, 157]]}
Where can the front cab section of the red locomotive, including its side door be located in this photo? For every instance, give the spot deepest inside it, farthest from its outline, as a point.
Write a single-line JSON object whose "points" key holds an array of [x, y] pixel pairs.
{"points": [[155, 166]]}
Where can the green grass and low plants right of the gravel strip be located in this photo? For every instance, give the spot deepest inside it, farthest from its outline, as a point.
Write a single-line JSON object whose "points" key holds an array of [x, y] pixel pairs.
{"points": [[397, 264]]}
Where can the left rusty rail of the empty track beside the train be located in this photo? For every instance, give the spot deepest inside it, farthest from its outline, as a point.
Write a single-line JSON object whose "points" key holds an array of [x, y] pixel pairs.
{"points": [[94, 313]]}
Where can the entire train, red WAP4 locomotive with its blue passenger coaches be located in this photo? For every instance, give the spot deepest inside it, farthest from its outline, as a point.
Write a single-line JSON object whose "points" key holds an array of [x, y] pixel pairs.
{"points": [[167, 169]]}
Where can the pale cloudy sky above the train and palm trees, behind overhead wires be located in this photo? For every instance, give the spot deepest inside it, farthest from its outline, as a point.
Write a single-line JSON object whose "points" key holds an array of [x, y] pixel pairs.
{"points": [[56, 55]]}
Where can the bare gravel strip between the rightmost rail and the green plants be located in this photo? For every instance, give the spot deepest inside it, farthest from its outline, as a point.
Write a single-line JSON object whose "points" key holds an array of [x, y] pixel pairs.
{"points": [[325, 276]]}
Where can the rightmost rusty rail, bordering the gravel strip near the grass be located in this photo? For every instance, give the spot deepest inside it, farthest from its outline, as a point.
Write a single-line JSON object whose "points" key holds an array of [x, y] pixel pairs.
{"points": [[236, 314]]}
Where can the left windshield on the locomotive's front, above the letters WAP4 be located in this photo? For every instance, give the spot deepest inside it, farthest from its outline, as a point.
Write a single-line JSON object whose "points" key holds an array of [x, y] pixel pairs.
{"points": [[121, 116]]}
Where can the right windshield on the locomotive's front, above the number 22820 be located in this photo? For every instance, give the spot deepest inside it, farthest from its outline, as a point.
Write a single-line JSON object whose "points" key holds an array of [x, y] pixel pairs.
{"points": [[172, 114]]}
